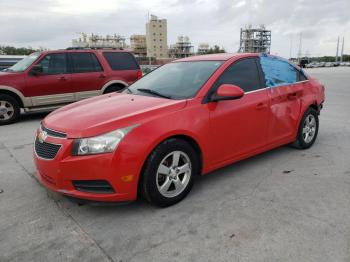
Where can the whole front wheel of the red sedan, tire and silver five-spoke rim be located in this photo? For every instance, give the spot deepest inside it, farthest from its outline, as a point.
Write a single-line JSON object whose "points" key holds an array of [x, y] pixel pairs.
{"points": [[169, 172]]}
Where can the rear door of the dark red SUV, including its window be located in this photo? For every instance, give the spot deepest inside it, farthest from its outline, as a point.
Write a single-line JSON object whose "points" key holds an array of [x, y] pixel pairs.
{"points": [[88, 77]]}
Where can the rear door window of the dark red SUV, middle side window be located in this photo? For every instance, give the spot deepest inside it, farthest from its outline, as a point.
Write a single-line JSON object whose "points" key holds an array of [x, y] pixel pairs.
{"points": [[85, 62]]}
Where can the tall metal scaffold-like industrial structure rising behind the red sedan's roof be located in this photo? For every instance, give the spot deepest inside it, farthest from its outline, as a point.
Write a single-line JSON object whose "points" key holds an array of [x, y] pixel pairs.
{"points": [[255, 40]]}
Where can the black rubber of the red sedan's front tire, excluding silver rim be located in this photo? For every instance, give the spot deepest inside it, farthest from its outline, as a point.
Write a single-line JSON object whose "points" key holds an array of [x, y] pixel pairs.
{"points": [[150, 177]]}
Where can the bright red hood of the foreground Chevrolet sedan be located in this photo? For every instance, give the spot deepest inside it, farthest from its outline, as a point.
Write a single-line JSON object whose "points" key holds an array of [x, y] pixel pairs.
{"points": [[102, 114]]}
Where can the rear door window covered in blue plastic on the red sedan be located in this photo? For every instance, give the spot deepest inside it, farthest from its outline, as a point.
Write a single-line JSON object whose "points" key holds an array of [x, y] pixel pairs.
{"points": [[277, 71]]}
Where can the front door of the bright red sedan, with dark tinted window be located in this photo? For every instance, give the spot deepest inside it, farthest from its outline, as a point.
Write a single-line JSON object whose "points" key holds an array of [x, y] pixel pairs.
{"points": [[238, 127]]}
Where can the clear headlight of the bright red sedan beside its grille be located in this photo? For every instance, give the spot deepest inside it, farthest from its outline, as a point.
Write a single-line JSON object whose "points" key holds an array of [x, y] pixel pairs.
{"points": [[105, 143]]}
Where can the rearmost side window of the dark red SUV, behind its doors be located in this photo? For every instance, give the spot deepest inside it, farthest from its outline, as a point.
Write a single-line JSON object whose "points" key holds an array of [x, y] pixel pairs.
{"points": [[121, 61]]}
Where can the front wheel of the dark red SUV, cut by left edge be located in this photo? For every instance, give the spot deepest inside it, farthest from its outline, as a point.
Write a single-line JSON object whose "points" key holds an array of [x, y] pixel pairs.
{"points": [[12, 107]]}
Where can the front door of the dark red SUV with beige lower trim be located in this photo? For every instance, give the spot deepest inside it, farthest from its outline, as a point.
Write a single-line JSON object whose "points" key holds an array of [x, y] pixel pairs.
{"points": [[53, 85]]}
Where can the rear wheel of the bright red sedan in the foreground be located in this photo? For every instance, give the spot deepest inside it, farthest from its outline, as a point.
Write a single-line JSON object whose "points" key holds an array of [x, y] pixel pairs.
{"points": [[308, 130]]}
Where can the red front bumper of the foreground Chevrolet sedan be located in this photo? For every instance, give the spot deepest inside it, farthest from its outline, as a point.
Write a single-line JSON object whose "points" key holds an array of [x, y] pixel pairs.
{"points": [[120, 170]]}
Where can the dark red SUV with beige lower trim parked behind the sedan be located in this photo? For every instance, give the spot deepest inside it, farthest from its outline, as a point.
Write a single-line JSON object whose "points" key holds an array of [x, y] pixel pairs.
{"points": [[48, 80]]}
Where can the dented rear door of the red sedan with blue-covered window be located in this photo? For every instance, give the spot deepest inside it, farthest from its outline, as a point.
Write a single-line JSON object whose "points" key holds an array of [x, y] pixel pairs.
{"points": [[285, 91]]}
